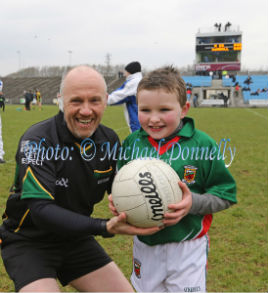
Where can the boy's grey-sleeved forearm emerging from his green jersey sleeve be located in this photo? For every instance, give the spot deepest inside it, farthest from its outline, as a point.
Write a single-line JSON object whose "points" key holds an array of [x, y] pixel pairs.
{"points": [[204, 204]]}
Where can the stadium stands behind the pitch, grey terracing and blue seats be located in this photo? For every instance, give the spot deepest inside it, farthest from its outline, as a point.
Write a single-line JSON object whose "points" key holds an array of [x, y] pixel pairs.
{"points": [[49, 87]]}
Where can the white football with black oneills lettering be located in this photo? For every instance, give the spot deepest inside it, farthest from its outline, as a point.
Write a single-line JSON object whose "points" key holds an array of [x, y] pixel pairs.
{"points": [[143, 189]]}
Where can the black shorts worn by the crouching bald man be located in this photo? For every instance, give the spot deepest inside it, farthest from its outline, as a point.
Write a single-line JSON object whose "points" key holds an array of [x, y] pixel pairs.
{"points": [[29, 260]]}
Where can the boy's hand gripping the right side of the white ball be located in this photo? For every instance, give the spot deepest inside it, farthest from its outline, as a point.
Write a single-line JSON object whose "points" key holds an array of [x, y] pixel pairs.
{"points": [[180, 209]]}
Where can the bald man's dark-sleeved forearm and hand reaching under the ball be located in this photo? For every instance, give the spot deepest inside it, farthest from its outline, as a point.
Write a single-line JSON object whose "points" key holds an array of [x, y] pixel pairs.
{"points": [[50, 217]]}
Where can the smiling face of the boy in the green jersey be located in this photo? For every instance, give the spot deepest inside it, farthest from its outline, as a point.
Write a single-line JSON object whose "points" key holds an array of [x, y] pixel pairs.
{"points": [[160, 112]]}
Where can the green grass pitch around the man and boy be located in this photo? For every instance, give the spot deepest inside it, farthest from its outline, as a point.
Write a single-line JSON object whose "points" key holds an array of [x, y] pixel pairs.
{"points": [[238, 252]]}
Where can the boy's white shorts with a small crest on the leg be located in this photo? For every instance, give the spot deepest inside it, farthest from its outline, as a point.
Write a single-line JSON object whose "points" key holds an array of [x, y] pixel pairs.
{"points": [[171, 267]]}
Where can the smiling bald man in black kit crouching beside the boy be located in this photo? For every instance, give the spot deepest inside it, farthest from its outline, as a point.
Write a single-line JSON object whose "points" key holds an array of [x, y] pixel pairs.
{"points": [[61, 173]]}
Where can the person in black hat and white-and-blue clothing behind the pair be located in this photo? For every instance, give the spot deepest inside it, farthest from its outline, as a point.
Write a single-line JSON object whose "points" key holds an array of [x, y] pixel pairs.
{"points": [[126, 94]]}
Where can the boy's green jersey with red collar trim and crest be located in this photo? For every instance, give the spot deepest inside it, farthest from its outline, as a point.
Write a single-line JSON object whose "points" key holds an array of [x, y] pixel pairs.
{"points": [[198, 161]]}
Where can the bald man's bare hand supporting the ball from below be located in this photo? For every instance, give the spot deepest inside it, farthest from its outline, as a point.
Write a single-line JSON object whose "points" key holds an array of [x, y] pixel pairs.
{"points": [[118, 225]]}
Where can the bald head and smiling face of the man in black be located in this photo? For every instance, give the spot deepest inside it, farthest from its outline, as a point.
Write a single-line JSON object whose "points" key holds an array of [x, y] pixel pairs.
{"points": [[84, 100]]}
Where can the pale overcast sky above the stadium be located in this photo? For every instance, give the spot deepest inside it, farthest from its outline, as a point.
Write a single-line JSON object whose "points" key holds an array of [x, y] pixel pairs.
{"points": [[153, 32]]}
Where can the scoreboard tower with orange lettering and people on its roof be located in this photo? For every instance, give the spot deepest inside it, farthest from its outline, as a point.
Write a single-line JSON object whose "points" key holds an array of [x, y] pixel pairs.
{"points": [[218, 49]]}
